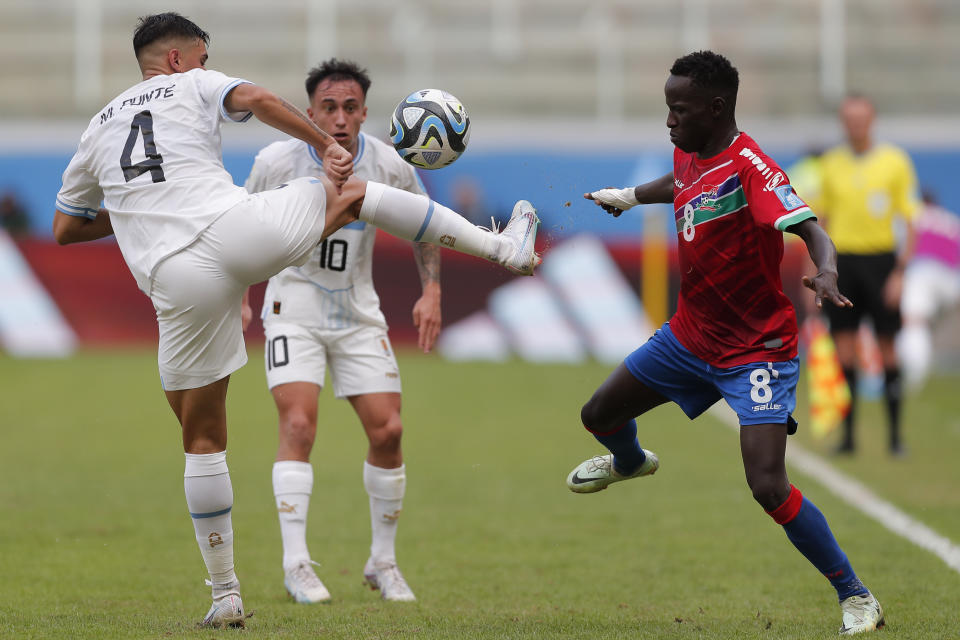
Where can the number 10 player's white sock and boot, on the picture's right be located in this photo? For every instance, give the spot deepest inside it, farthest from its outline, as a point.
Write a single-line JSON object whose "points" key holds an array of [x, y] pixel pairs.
{"points": [[386, 488]]}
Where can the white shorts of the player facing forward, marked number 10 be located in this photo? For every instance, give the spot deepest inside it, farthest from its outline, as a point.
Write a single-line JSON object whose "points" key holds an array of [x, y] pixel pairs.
{"points": [[361, 359]]}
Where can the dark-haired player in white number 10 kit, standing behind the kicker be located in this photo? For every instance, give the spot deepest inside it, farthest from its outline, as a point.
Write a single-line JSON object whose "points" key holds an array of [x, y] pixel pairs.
{"points": [[326, 313]]}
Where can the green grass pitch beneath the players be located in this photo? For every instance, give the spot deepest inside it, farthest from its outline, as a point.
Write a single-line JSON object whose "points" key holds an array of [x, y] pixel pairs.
{"points": [[95, 541]]}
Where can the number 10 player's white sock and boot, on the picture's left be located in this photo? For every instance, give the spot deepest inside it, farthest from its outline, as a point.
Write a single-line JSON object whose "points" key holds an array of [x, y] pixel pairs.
{"points": [[292, 486]]}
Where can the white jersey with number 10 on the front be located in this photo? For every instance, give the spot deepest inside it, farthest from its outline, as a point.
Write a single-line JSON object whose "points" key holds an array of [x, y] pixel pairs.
{"points": [[334, 289]]}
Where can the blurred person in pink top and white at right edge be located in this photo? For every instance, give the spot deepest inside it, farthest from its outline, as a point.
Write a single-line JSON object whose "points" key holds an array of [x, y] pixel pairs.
{"points": [[931, 286]]}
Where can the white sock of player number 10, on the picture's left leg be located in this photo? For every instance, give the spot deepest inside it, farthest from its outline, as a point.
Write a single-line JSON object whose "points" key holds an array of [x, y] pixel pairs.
{"points": [[292, 484]]}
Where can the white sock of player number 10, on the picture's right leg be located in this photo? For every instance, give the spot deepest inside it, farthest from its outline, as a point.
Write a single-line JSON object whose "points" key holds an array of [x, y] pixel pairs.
{"points": [[385, 488]]}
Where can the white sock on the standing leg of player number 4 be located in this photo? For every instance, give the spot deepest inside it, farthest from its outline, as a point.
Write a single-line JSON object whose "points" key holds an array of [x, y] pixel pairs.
{"points": [[206, 483]]}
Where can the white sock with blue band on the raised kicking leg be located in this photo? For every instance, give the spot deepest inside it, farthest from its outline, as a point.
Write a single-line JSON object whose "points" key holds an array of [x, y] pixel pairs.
{"points": [[420, 219]]}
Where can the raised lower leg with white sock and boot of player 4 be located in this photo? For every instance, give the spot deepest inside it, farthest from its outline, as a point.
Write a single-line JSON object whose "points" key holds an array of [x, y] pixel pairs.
{"points": [[417, 218]]}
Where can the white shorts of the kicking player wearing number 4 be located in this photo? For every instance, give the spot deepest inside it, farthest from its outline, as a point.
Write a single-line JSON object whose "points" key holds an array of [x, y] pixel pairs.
{"points": [[197, 291]]}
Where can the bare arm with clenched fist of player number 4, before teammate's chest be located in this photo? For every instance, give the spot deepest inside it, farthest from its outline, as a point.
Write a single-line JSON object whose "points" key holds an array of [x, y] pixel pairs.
{"points": [[273, 110]]}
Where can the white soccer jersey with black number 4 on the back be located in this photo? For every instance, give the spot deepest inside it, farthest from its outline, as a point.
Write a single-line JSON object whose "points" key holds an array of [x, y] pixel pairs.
{"points": [[153, 156]]}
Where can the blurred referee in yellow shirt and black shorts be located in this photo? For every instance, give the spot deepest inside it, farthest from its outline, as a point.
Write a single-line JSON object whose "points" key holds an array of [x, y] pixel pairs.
{"points": [[865, 186]]}
